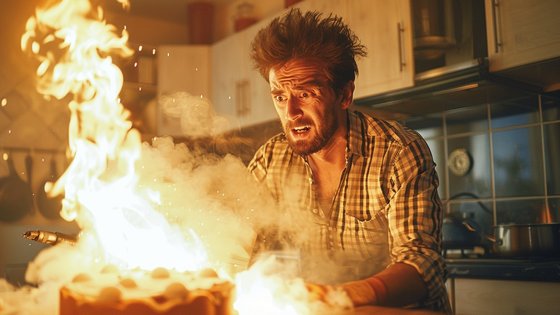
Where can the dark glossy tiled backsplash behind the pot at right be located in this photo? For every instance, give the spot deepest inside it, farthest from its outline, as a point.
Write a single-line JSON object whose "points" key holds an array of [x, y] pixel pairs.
{"points": [[514, 149]]}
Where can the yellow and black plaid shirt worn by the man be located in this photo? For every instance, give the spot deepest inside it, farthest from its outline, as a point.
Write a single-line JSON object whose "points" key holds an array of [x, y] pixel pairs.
{"points": [[386, 209]]}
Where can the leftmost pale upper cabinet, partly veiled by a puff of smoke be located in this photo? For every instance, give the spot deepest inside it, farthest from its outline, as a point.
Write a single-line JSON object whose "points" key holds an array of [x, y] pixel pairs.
{"points": [[181, 68]]}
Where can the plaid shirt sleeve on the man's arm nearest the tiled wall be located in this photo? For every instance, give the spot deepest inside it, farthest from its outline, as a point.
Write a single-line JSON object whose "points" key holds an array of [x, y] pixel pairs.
{"points": [[415, 217]]}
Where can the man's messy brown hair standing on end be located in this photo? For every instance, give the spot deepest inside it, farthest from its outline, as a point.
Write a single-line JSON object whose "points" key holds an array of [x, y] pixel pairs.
{"points": [[309, 36]]}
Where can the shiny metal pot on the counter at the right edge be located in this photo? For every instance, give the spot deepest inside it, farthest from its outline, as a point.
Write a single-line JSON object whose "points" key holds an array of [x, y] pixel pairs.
{"points": [[527, 240]]}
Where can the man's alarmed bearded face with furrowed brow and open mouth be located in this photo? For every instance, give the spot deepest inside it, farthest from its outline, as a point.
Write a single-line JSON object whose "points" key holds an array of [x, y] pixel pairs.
{"points": [[308, 107]]}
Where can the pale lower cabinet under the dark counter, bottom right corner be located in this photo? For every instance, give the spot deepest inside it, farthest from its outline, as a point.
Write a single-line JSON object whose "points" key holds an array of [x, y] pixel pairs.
{"points": [[496, 297]]}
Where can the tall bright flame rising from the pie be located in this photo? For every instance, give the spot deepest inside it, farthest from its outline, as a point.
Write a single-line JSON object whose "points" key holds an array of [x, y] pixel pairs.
{"points": [[74, 45]]}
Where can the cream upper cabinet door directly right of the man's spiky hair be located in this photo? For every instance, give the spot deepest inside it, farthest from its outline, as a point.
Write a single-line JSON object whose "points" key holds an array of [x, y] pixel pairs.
{"points": [[385, 28]]}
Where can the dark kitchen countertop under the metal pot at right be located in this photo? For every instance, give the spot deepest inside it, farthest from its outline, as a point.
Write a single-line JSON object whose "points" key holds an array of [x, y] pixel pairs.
{"points": [[505, 269]]}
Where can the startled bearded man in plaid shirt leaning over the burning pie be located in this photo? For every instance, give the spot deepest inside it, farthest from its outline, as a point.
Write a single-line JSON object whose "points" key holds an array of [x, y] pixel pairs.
{"points": [[368, 186]]}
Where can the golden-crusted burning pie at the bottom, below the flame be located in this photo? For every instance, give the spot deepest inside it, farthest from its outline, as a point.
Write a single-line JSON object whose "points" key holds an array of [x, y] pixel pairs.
{"points": [[144, 293]]}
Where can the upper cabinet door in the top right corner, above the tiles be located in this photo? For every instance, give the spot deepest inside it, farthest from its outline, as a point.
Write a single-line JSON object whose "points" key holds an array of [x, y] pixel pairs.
{"points": [[522, 32]]}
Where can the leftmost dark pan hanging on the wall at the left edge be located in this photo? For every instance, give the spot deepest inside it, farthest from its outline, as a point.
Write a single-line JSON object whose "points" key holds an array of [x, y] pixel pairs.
{"points": [[15, 195]]}
